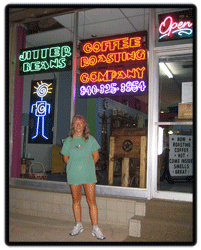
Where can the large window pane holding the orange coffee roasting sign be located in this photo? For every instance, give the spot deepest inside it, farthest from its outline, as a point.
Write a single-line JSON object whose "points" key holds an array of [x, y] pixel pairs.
{"points": [[119, 121]]}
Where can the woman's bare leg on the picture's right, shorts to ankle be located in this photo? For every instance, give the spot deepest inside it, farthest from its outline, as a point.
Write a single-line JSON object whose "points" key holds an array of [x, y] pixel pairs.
{"points": [[90, 191]]}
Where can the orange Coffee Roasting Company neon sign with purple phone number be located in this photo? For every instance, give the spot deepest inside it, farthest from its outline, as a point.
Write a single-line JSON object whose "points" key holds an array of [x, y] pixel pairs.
{"points": [[108, 66]]}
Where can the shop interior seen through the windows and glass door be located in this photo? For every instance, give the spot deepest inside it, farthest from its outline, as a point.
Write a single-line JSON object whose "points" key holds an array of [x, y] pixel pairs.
{"points": [[122, 117]]}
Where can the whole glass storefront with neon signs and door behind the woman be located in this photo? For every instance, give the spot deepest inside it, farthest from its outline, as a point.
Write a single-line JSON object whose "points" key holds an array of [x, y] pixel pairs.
{"points": [[130, 73]]}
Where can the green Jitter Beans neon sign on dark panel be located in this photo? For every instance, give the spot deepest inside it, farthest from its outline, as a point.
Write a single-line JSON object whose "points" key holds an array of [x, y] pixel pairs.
{"points": [[44, 59]]}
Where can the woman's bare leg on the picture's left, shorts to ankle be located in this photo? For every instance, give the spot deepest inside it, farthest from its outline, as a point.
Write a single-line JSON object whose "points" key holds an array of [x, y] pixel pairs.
{"points": [[76, 193]]}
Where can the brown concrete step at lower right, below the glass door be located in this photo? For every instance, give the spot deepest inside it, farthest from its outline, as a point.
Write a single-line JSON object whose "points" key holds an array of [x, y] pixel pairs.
{"points": [[163, 221]]}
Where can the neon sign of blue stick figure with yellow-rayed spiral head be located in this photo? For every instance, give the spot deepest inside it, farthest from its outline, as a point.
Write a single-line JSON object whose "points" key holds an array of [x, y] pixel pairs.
{"points": [[41, 111]]}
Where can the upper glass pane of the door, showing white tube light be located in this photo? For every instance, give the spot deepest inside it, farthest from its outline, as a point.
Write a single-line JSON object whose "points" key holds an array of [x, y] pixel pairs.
{"points": [[176, 87]]}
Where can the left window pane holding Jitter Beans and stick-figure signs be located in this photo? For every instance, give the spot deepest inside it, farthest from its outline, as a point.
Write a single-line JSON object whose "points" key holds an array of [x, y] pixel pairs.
{"points": [[46, 97]]}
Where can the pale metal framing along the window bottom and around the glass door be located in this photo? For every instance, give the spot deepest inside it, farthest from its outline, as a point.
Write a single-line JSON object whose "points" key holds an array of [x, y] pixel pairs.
{"points": [[153, 122]]}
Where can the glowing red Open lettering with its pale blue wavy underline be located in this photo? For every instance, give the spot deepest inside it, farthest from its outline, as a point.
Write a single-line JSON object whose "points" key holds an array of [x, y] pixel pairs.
{"points": [[169, 27]]}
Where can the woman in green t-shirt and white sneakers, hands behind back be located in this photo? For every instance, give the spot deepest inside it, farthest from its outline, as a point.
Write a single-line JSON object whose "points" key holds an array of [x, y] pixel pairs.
{"points": [[80, 152]]}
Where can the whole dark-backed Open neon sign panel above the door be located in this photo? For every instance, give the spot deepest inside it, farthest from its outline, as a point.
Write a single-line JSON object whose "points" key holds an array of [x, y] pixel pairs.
{"points": [[175, 26]]}
